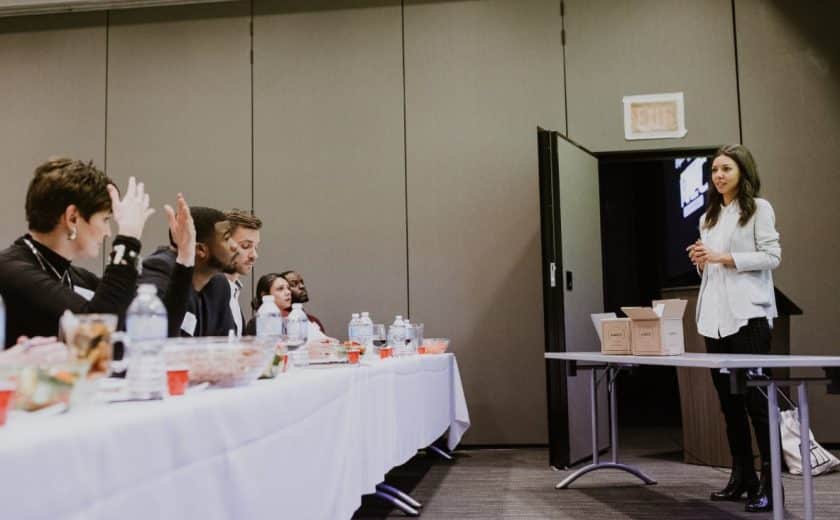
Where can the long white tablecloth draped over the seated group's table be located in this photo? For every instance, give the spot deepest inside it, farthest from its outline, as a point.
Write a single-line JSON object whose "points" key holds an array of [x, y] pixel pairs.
{"points": [[306, 445]]}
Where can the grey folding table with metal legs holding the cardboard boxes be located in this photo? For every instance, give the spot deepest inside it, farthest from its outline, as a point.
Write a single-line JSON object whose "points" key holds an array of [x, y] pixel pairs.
{"points": [[737, 365]]}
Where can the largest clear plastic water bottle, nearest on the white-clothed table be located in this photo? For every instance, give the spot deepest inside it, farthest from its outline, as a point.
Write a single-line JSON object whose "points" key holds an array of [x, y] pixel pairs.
{"points": [[146, 326]]}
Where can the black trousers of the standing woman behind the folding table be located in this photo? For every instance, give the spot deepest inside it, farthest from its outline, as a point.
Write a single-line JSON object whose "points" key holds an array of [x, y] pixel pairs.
{"points": [[752, 338]]}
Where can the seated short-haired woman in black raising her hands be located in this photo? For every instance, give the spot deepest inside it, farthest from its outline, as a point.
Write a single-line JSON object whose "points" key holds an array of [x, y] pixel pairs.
{"points": [[69, 205]]}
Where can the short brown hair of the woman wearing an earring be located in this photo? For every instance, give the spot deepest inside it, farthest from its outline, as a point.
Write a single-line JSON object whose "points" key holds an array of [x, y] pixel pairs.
{"points": [[60, 182]]}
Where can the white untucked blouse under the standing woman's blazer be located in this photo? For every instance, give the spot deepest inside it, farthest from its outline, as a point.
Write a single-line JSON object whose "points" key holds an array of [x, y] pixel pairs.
{"points": [[715, 318]]}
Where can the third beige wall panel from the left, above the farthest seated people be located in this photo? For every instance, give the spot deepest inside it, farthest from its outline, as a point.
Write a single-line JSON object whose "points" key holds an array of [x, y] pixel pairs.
{"points": [[328, 158]]}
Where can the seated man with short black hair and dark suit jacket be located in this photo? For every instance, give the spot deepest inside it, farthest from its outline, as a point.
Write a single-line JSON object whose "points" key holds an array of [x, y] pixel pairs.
{"points": [[199, 312]]}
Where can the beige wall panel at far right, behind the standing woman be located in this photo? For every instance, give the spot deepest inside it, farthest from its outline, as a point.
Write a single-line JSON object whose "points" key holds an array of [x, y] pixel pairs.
{"points": [[790, 96]]}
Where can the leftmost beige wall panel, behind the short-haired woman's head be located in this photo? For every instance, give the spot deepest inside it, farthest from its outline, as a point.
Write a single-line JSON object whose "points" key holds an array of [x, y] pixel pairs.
{"points": [[52, 102]]}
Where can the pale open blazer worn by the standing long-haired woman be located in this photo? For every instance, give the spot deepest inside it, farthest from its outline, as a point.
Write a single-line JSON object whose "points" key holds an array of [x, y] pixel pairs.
{"points": [[756, 251]]}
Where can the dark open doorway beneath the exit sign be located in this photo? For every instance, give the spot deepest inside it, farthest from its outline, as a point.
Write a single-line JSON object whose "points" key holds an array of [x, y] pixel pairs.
{"points": [[651, 203]]}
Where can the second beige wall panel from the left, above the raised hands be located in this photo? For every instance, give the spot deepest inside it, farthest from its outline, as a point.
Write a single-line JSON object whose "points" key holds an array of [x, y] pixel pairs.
{"points": [[179, 107]]}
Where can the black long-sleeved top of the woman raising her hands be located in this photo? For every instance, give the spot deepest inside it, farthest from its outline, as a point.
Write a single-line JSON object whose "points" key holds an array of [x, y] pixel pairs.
{"points": [[36, 297]]}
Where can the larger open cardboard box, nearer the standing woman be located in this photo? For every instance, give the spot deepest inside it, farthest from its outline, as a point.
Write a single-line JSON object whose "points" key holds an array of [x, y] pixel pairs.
{"points": [[657, 330]]}
